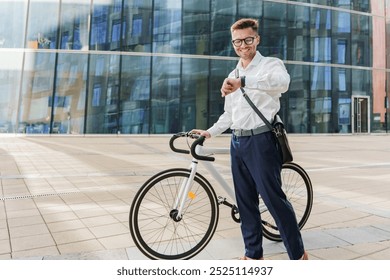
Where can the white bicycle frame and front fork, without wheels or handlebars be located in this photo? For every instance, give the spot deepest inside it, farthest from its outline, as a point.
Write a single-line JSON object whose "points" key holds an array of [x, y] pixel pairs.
{"points": [[186, 185]]}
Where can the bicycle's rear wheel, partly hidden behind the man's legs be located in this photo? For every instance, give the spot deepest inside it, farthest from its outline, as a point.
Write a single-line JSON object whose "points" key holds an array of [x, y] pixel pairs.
{"points": [[297, 186]]}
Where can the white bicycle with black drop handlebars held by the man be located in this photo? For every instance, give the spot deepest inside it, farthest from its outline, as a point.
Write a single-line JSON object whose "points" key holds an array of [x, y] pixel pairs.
{"points": [[175, 213]]}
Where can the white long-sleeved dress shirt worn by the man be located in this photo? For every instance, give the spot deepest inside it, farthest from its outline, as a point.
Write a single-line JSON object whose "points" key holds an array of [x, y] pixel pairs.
{"points": [[266, 80]]}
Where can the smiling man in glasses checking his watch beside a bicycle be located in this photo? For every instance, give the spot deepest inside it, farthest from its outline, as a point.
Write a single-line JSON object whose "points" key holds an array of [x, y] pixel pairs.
{"points": [[256, 161]]}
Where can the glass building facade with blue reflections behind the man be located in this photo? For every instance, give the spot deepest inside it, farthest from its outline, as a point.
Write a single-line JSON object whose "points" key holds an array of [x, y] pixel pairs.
{"points": [[156, 66]]}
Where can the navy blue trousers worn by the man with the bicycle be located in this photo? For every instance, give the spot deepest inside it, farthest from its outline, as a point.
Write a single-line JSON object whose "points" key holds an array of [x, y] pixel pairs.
{"points": [[256, 166]]}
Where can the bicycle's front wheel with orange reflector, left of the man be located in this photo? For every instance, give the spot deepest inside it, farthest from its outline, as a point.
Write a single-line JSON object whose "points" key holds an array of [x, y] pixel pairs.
{"points": [[155, 229]]}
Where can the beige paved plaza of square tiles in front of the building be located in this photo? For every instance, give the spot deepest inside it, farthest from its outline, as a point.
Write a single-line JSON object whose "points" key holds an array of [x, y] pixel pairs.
{"points": [[68, 197]]}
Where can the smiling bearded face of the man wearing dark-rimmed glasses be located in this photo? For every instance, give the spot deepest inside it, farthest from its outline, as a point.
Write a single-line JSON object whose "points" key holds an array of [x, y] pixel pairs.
{"points": [[246, 50]]}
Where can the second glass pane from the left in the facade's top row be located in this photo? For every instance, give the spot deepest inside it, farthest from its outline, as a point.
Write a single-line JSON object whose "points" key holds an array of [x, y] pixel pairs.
{"points": [[41, 28]]}
